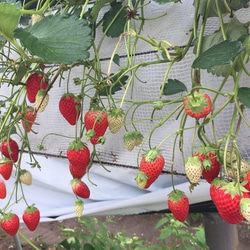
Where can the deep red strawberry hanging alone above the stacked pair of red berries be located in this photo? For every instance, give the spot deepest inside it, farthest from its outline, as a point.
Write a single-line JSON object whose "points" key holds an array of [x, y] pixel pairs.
{"points": [[70, 108]]}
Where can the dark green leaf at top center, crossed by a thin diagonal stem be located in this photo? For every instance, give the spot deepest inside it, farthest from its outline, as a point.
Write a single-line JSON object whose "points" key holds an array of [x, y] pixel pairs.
{"points": [[117, 26]]}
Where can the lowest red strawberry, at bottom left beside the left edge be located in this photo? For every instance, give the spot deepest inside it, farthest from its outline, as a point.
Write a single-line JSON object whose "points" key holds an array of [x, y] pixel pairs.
{"points": [[10, 223]]}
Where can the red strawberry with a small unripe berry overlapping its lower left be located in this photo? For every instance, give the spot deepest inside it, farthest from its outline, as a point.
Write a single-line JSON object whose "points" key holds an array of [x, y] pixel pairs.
{"points": [[152, 164]]}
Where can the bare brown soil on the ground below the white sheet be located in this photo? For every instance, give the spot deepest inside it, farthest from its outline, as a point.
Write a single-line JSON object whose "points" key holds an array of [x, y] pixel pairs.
{"points": [[48, 234]]}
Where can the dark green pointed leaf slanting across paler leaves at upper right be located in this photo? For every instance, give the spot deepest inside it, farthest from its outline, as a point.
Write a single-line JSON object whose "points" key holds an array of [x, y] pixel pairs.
{"points": [[220, 54]]}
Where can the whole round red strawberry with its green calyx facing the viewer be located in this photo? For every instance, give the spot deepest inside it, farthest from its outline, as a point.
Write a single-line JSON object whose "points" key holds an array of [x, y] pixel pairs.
{"points": [[197, 105]]}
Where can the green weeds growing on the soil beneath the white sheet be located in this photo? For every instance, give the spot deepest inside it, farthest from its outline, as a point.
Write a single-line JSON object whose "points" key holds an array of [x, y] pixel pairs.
{"points": [[93, 234]]}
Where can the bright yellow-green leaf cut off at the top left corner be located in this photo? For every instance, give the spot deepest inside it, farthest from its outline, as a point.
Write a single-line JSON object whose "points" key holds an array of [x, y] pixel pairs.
{"points": [[9, 18]]}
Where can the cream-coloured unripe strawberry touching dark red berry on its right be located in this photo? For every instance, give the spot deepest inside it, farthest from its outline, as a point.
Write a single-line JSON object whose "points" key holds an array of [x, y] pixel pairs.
{"points": [[193, 169]]}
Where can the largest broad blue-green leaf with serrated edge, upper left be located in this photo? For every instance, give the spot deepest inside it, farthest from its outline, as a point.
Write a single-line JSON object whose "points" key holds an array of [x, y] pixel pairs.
{"points": [[60, 38]]}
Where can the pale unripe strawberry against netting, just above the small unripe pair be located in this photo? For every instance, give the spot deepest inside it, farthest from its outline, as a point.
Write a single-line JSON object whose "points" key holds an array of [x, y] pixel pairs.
{"points": [[115, 120]]}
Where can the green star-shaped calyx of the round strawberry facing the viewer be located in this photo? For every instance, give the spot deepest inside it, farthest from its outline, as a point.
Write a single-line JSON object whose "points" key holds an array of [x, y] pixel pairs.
{"points": [[197, 102]]}
